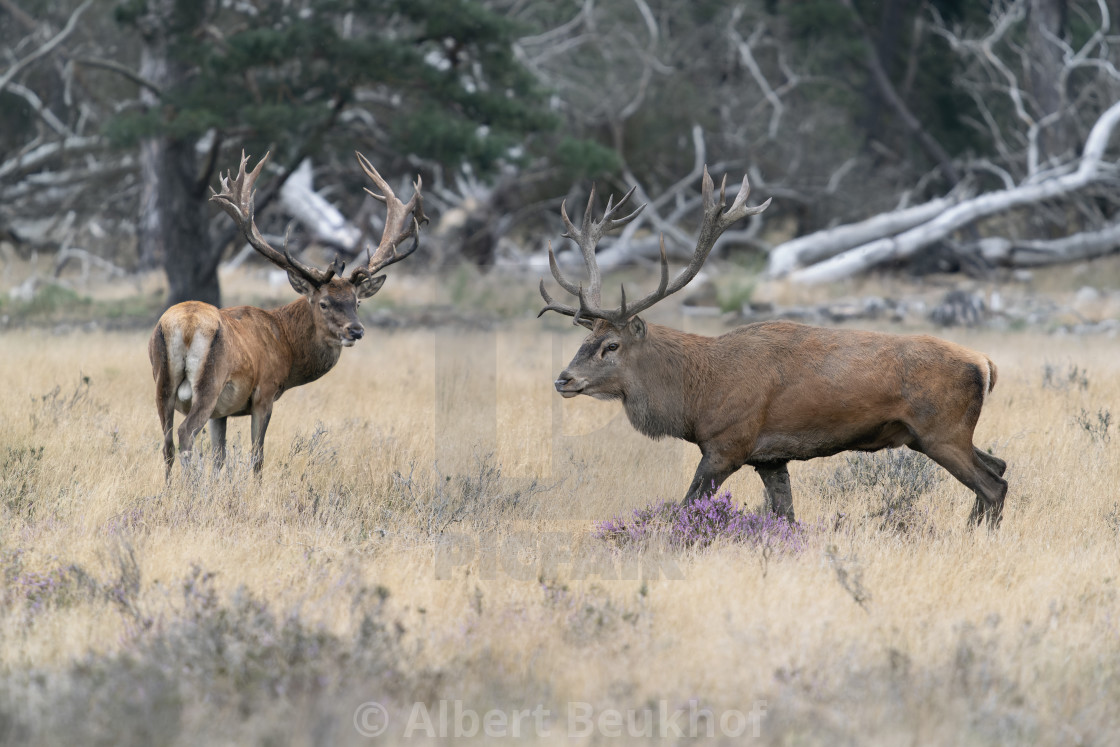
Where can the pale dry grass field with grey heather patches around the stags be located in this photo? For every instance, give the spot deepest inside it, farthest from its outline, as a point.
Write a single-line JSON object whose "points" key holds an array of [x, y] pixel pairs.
{"points": [[423, 538]]}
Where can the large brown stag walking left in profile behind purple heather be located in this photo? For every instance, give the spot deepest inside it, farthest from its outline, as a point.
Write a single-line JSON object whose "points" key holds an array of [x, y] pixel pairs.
{"points": [[772, 393]]}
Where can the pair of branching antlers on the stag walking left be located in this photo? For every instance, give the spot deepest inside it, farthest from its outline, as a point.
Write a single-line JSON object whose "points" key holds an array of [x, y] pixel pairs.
{"points": [[715, 222]]}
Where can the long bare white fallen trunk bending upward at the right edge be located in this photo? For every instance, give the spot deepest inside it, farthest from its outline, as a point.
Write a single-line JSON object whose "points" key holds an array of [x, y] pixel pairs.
{"points": [[1090, 171]]}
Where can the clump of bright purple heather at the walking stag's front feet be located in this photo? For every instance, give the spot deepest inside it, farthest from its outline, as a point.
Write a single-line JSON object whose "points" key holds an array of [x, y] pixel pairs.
{"points": [[705, 521]]}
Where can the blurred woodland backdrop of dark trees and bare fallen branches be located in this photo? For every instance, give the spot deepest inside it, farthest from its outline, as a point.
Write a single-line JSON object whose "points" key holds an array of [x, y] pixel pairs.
{"points": [[939, 135]]}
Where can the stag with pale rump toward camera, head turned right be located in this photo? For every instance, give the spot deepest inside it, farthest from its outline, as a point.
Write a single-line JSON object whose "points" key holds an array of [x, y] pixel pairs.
{"points": [[212, 363]]}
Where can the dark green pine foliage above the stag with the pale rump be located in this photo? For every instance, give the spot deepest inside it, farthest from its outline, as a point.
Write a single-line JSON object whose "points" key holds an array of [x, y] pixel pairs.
{"points": [[449, 87]]}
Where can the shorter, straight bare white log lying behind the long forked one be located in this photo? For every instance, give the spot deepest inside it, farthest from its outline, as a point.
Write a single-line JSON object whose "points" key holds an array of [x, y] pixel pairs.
{"points": [[817, 247]]}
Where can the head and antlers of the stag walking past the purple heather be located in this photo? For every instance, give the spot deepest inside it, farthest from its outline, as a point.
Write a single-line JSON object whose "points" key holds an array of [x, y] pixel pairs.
{"points": [[609, 356]]}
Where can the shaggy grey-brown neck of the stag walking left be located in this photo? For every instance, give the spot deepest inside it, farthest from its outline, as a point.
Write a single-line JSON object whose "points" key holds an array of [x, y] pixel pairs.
{"points": [[666, 380]]}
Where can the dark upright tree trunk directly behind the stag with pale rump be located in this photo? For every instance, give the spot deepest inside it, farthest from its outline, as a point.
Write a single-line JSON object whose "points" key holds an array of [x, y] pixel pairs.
{"points": [[173, 229]]}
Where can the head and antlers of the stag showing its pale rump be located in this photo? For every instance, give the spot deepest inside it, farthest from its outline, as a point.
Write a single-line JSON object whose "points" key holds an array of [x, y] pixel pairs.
{"points": [[333, 298]]}
